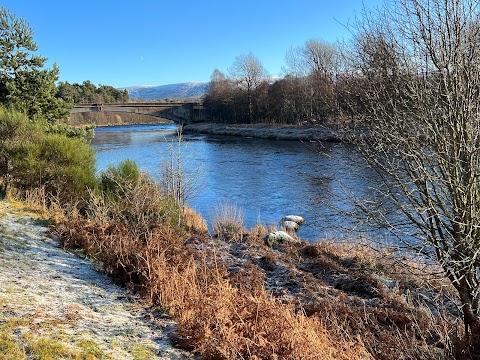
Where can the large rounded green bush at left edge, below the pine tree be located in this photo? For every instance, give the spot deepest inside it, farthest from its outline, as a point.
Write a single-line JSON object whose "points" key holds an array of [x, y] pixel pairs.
{"points": [[31, 158]]}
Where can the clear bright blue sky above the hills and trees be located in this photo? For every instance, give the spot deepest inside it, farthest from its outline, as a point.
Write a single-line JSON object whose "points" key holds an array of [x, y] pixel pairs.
{"points": [[148, 42]]}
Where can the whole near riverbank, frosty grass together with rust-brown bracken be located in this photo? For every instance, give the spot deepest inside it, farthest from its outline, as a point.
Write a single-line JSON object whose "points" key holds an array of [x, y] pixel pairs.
{"points": [[229, 296]]}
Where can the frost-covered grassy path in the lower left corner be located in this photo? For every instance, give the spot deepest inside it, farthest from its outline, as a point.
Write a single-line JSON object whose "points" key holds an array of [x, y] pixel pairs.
{"points": [[55, 302]]}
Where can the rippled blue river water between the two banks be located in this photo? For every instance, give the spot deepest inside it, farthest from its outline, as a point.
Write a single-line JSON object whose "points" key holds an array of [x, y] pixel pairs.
{"points": [[267, 179]]}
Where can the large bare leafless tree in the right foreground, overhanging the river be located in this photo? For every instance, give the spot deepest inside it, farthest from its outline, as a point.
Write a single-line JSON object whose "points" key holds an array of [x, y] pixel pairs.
{"points": [[419, 62]]}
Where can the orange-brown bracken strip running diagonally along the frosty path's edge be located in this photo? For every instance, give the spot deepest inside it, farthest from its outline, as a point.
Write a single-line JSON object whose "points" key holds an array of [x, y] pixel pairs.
{"points": [[216, 319]]}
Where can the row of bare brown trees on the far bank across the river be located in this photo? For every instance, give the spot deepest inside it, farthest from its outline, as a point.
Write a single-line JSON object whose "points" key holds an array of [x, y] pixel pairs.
{"points": [[323, 82]]}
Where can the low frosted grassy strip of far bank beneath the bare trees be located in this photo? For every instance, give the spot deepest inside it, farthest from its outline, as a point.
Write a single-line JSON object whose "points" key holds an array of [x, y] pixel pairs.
{"points": [[266, 131]]}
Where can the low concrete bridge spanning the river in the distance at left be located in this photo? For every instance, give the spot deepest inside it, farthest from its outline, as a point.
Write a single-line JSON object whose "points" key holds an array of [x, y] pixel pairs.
{"points": [[183, 113]]}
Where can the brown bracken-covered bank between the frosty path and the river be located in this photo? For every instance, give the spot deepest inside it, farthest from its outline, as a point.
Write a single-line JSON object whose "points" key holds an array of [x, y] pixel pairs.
{"points": [[235, 298]]}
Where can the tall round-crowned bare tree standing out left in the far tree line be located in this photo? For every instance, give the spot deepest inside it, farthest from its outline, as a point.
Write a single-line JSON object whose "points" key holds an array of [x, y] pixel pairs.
{"points": [[249, 73]]}
